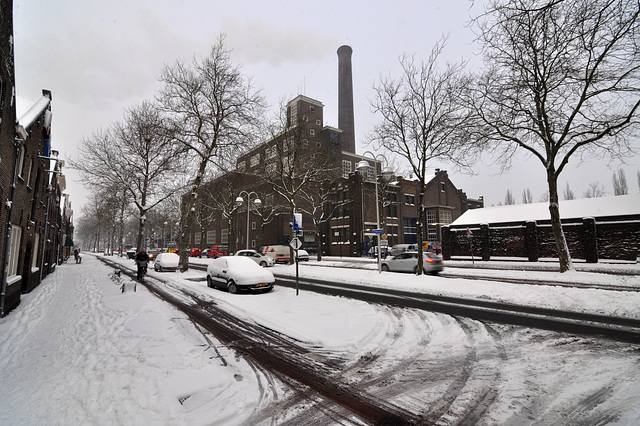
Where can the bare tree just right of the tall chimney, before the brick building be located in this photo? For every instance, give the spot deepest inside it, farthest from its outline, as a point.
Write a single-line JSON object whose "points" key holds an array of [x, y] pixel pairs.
{"points": [[423, 118]]}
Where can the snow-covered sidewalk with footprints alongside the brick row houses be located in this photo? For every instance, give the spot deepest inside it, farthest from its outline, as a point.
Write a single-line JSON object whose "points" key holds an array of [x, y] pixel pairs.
{"points": [[78, 351]]}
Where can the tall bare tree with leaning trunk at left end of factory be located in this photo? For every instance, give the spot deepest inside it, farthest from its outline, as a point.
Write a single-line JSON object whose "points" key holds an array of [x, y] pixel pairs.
{"points": [[213, 110]]}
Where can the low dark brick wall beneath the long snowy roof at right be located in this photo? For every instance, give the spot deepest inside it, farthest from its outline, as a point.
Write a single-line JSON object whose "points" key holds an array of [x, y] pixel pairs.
{"points": [[587, 238]]}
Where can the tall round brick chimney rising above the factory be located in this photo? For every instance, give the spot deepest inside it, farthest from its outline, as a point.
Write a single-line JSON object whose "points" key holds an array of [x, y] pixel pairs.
{"points": [[345, 100]]}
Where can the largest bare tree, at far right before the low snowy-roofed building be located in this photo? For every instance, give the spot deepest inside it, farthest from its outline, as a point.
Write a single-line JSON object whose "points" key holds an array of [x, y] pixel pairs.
{"points": [[562, 82]]}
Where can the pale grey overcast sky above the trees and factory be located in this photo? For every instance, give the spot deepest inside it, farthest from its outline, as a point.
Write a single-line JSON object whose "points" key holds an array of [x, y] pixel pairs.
{"points": [[101, 57]]}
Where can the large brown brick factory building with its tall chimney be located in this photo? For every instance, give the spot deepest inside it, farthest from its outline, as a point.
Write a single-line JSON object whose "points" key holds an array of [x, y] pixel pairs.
{"points": [[338, 206]]}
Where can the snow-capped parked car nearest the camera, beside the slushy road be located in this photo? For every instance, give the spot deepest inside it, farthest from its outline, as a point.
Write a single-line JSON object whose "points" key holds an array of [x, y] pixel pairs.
{"points": [[237, 273]]}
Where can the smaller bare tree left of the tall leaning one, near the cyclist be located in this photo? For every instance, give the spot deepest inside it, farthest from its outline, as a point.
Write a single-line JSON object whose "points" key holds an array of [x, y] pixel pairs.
{"points": [[138, 156]]}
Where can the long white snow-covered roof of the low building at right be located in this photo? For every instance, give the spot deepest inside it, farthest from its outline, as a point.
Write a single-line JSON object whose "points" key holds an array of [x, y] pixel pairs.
{"points": [[622, 205]]}
